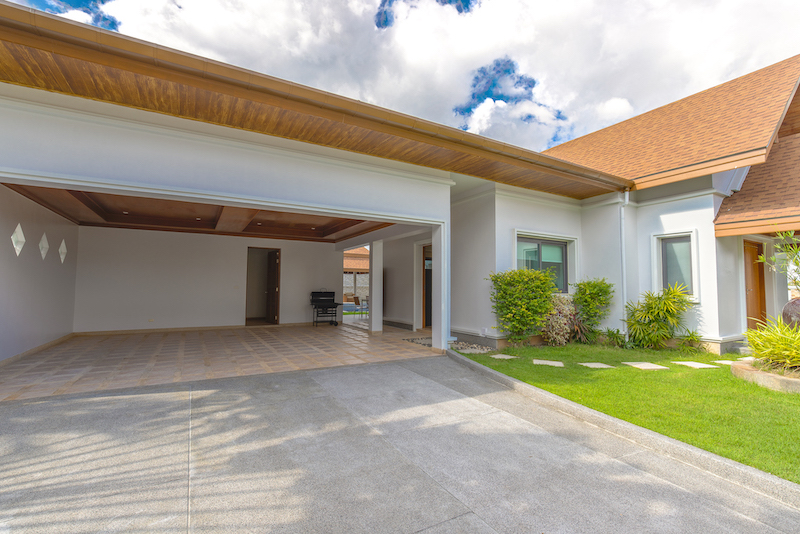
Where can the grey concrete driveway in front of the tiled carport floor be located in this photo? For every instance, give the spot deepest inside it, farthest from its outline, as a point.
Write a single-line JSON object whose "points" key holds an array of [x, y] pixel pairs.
{"points": [[425, 445]]}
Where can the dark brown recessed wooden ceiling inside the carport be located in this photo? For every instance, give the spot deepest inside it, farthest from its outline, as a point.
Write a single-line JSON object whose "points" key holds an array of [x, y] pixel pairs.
{"points": [[120, 211]]}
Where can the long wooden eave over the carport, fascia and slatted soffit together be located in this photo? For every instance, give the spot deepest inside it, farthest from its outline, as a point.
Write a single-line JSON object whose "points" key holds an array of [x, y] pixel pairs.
{"points": [[47, 52]]}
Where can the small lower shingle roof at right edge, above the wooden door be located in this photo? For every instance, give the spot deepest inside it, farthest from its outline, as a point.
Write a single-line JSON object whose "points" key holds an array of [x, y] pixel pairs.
{"points": [[770, 196]]}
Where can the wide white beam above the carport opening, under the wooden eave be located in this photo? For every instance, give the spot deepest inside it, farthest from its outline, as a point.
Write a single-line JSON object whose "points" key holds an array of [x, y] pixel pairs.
{"points": [[167, 157]]}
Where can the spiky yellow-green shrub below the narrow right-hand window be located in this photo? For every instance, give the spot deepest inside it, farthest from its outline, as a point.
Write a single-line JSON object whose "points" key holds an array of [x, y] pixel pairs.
{"points": [[658, 317]]}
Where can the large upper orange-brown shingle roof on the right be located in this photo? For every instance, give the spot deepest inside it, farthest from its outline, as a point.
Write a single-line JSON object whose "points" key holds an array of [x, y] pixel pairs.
{"points": [[728, 126]]}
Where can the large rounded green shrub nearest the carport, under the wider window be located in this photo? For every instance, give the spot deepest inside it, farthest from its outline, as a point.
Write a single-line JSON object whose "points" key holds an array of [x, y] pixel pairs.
{"points": [[521, 300]]}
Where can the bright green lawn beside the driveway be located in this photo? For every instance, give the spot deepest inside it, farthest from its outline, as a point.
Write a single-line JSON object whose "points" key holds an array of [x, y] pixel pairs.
{"points": [[707, 408]]}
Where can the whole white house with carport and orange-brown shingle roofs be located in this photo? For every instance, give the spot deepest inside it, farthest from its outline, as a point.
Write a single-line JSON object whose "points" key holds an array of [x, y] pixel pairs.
{"points": [[138, 180]]}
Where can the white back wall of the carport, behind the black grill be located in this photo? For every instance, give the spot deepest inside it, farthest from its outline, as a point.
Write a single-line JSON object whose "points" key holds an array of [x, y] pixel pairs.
{"points": [[137, 279]]}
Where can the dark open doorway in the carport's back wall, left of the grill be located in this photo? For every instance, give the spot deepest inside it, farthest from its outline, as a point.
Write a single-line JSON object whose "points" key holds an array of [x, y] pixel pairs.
{"points": [[263, 286]]}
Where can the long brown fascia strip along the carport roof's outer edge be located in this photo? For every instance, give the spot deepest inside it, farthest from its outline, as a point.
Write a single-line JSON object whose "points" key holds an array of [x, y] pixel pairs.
{"points": [[89, 44]]}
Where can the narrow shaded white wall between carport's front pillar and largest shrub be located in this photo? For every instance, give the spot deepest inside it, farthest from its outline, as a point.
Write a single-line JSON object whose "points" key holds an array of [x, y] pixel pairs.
{"points": [[474, 259]]}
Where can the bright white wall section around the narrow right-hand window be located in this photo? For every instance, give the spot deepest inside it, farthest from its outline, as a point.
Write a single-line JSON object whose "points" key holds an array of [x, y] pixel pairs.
{"points": [[688, 213]]}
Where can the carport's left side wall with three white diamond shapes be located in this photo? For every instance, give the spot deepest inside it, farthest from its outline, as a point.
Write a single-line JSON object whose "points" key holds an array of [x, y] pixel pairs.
{"points": [[36, 295]]}
